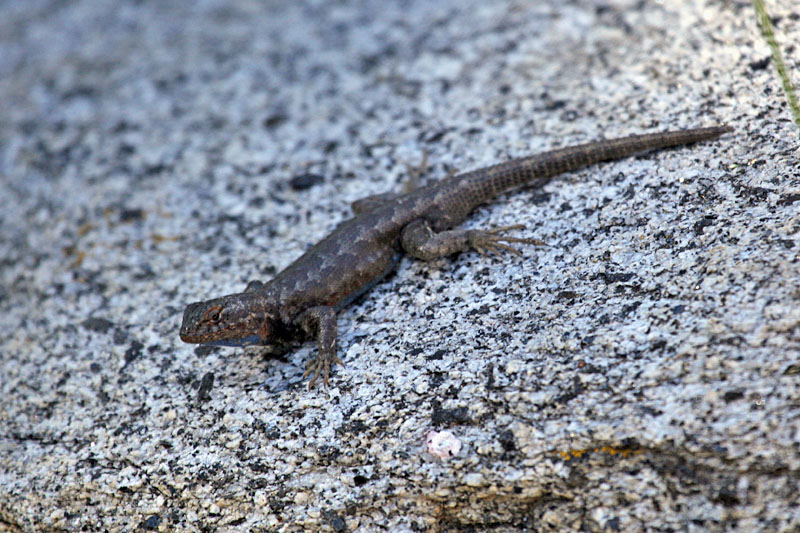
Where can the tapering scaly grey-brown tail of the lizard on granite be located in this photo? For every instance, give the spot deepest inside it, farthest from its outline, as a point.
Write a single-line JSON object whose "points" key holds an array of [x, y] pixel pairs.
{"points": [[498, 178]]}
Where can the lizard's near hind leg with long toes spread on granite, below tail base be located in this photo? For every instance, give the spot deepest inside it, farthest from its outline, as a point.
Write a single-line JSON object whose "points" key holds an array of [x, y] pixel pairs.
{"points": [[420, 241]]}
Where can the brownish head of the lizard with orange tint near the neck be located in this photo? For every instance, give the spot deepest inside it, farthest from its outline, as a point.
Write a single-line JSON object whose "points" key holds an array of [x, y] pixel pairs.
{"points": [[234, 320]]}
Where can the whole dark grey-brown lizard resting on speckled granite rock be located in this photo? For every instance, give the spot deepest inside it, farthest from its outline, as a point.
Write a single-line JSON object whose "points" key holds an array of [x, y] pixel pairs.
{"points": [[301, 301]]}
